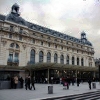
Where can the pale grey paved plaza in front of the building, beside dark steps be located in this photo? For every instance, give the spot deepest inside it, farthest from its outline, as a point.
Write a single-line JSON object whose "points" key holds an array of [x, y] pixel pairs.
{"points": [[42, 92]]}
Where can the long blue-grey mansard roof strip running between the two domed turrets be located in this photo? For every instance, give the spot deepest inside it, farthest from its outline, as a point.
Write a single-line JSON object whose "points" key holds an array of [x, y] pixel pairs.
{"points": [[42, 29]]}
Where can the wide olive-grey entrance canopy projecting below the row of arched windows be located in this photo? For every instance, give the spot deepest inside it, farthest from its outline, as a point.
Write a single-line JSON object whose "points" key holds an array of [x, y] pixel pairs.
{"points": [[40, 66]]}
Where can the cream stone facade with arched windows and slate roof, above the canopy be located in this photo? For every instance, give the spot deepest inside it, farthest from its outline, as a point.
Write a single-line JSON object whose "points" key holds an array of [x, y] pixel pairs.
{"points": [[18, 40]]}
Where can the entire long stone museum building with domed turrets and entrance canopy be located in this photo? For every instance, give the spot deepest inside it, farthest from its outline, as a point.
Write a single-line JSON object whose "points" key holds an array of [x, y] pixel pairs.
{"points": [[42, 52]]}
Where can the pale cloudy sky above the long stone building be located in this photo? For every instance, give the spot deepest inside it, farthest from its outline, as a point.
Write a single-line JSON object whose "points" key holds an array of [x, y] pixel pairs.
{"points": [[67, 16]]}
